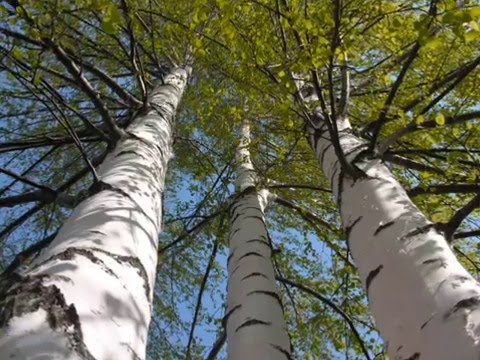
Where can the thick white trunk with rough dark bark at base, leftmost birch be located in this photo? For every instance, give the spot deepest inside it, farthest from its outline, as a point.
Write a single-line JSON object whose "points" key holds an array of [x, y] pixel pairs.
{"points": [[88, 294]]}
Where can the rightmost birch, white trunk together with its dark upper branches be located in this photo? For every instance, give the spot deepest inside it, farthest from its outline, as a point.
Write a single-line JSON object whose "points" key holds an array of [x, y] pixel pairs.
{"points": [[397, 250]]}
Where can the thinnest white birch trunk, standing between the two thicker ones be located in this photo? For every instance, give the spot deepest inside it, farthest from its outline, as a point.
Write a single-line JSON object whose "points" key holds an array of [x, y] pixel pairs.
{"points": [[255, 325]]}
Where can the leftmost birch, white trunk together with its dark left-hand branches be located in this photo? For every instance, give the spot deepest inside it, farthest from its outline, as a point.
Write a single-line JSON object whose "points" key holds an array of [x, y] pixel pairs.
{"points": [[87, 294]]}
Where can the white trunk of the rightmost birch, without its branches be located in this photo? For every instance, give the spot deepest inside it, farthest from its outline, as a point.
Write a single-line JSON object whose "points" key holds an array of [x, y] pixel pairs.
{"points": [[425, 304]]}
